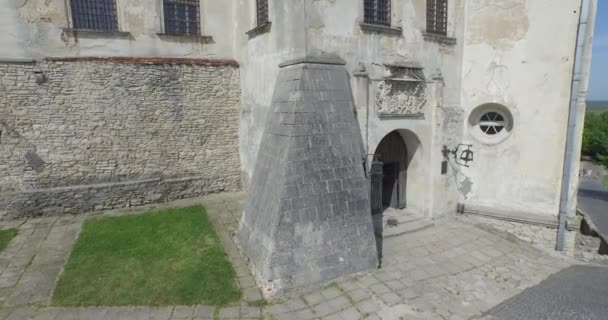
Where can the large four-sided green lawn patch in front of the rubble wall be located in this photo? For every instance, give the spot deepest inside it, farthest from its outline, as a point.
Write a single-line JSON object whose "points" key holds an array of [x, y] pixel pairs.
{"points": [[166, 257]]}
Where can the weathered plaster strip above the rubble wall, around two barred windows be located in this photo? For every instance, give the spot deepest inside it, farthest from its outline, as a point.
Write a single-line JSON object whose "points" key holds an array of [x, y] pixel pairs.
{"points": [[34, 29]]}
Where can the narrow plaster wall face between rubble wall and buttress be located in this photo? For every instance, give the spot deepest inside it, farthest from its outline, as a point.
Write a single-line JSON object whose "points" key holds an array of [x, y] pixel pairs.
{"points": [[259, 58]]}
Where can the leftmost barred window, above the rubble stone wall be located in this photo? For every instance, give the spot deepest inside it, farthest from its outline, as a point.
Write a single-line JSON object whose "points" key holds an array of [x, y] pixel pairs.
{"points": [[99, 15]]}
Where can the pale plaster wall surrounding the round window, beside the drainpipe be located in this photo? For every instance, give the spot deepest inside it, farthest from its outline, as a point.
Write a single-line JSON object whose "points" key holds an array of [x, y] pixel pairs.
{"points": [[512, 57]]}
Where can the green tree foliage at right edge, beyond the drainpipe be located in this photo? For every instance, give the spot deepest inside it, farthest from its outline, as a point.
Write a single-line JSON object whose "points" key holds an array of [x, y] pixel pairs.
{"points": [[595, 137]]}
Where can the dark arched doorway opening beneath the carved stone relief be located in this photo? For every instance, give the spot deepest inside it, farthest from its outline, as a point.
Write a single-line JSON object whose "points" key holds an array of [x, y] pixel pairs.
{"points": [[392, 151]]}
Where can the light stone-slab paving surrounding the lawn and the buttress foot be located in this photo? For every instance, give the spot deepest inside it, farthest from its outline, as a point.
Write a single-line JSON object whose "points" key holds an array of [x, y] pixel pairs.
{"points": [[453, 270]]}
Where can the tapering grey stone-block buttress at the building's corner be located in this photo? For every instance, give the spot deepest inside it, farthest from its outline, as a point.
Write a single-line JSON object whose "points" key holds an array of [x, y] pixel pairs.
{"points": [[308, 219]]}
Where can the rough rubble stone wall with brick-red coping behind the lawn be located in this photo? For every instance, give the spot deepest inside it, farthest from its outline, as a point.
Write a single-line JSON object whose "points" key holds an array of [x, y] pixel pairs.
{"points": [[100, 133]]}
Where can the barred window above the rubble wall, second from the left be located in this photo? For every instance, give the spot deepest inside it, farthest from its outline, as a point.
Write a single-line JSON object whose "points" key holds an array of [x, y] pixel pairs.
{"points": [[182, 16]]}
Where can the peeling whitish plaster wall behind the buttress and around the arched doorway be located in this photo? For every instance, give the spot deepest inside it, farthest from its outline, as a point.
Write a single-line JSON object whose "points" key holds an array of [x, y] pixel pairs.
{"points": [[332, 28]]}
